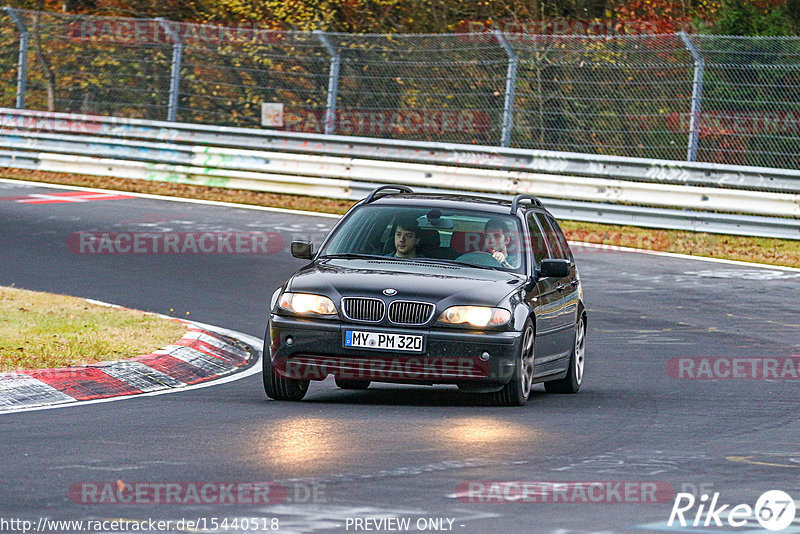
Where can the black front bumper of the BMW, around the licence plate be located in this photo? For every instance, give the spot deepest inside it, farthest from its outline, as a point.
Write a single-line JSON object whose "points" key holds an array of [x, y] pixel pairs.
{"points": [[314, 349]]}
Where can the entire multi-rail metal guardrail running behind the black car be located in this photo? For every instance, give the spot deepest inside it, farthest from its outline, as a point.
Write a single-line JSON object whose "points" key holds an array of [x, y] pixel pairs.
{"points": [[575, 186]]}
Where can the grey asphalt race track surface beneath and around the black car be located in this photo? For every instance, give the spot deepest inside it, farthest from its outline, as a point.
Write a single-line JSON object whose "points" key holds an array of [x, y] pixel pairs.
{"points": [[405, 452]]}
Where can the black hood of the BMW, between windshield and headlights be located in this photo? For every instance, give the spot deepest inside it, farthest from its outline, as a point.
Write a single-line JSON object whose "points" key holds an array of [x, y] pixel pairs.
{"points": [[444, 285]]}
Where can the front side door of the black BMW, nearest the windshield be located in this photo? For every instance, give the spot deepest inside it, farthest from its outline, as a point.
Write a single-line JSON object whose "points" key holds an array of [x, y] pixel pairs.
{"points": [[543, 299]]}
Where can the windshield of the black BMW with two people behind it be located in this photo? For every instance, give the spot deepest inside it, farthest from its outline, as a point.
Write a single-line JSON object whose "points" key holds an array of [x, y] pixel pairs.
{"points": [[468, 237]]}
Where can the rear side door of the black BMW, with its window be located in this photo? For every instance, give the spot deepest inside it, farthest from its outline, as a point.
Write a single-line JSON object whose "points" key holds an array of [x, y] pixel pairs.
{"points": [[567, 288]]}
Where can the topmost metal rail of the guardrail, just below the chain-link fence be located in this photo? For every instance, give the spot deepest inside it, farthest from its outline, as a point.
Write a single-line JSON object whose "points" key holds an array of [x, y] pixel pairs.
{"points": [[486, 157]]}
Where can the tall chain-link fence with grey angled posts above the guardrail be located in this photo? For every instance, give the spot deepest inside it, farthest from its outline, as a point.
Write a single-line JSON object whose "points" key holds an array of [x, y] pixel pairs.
{"points": [[710, 98]]}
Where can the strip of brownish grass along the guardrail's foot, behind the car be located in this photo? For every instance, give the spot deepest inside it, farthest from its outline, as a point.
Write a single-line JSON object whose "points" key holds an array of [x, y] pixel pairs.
{"points": [[754, 249]]}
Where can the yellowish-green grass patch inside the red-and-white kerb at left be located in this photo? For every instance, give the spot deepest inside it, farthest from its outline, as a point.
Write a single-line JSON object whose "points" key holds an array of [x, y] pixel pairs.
{"points": [[43, 330]]}
